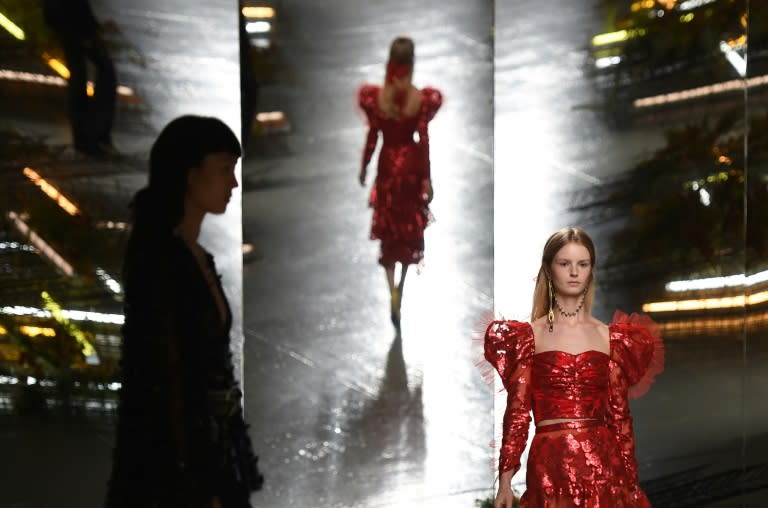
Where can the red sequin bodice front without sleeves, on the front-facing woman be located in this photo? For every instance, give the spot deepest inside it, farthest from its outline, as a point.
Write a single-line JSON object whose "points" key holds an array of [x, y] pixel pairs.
{"points": [[566, 385]]}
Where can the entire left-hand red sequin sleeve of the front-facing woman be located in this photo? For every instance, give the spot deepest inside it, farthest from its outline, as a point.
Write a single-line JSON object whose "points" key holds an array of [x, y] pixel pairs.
{"points": [[509, 347]]}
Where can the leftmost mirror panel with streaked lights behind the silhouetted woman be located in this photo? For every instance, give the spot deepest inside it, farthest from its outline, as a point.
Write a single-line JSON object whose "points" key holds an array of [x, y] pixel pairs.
{"points": [[65, 182]]}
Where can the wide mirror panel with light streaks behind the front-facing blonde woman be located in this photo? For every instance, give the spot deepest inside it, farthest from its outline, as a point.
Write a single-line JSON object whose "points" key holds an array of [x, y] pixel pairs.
{"points": [[627, 118]]}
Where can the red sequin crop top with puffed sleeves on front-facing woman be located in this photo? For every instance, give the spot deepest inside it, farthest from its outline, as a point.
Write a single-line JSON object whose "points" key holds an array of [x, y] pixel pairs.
{"points": [[560, 385]]}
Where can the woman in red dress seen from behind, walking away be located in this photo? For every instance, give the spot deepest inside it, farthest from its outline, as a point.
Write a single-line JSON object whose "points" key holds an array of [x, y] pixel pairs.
{"points": [[403, 188]]}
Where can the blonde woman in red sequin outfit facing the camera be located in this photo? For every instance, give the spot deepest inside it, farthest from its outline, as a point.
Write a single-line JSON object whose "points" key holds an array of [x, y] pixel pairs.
{"points": [[577, 375]]}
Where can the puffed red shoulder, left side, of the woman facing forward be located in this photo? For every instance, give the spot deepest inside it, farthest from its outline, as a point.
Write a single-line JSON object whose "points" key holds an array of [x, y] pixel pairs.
{"points": [[506, 344]]}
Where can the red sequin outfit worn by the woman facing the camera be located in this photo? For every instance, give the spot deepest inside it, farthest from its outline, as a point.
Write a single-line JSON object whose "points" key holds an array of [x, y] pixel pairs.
{"points": [[589, 463]]}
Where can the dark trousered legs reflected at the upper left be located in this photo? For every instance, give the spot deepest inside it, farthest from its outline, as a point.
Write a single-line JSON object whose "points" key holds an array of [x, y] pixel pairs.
{"points": [[90, 118]]}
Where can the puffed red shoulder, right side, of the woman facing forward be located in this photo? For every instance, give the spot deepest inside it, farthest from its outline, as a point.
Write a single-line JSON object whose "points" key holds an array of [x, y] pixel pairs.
{"points": [[637, 347]]}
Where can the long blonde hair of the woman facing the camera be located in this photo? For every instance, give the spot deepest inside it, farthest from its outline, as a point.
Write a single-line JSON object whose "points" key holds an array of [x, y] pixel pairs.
{"points": [[542, 299]]}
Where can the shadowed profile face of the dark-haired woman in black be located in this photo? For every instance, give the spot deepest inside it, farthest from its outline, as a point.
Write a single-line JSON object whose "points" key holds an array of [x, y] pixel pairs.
{"points": [[209, 185]]}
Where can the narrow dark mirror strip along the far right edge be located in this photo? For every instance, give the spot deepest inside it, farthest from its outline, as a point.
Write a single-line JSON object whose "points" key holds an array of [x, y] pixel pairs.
{"points": [[756, 255]]}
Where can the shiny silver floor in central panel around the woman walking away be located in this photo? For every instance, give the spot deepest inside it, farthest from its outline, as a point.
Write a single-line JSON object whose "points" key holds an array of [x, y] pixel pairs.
{"points": [[349, 414]]}
